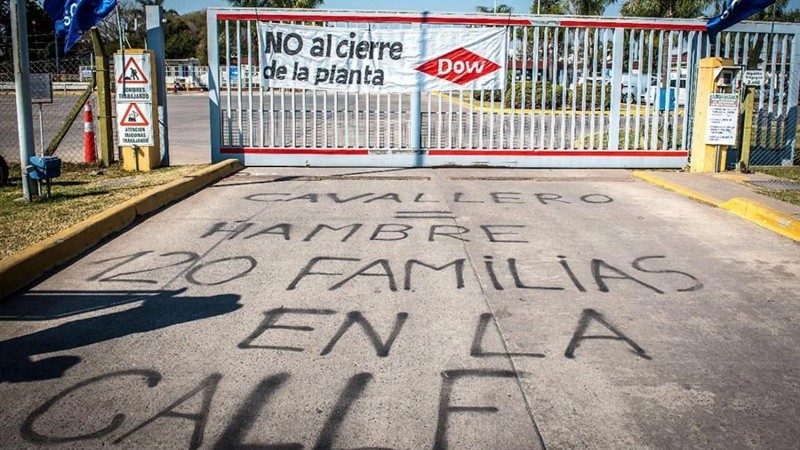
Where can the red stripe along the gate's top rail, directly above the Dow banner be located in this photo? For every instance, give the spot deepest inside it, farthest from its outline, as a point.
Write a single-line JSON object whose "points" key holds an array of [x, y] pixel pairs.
{"points": [[316, 17]]}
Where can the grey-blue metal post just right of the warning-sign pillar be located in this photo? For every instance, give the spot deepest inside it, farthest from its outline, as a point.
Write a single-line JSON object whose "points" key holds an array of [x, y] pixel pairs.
{"points": [[155, 42]]}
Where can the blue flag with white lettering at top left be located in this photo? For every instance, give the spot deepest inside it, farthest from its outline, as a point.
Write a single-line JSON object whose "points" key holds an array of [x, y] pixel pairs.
{"points": [[72, 18]]}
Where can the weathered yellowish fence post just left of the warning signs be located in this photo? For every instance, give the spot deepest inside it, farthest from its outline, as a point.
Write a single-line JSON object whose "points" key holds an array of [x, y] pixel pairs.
{"points": [[104, 113]]}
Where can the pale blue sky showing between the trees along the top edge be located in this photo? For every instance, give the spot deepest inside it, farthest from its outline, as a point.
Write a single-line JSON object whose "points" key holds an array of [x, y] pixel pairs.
{"points": [[519, 6]]}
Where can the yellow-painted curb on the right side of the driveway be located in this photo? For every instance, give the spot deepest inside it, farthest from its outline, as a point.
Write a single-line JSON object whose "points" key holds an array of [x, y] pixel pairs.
{"points": [[750, 210]]}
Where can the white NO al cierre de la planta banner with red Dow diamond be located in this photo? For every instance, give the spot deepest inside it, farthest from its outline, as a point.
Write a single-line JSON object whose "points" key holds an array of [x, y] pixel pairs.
{"points": [[381, 60]]}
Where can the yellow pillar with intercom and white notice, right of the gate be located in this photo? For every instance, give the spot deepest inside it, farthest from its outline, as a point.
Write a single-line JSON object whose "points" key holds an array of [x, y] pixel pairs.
{"points": [[716, 114]]}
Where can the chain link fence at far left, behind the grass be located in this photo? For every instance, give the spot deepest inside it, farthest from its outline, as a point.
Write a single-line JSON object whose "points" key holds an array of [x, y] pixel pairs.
{"points": [[70, 79]]}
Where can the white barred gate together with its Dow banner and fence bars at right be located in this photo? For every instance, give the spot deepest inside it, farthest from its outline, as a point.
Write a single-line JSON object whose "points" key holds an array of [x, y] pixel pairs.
{"points": [[488, 90]]}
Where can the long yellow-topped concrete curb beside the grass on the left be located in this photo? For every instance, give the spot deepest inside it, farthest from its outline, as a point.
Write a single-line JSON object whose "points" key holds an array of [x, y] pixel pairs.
{"points": [[24, 267]]}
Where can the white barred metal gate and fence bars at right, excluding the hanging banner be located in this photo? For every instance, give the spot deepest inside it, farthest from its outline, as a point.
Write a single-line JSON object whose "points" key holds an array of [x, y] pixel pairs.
{"points": [[581, 92]]}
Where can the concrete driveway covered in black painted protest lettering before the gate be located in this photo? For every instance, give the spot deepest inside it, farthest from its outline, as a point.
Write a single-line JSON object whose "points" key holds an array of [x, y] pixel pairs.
{"points": [[414, 309]]}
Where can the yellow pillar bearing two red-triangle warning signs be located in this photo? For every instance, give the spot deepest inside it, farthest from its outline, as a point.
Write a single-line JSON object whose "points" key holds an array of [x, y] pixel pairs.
{"points": [[137, 110]]}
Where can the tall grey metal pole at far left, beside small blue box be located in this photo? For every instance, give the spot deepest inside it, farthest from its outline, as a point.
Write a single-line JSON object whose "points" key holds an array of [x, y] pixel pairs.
{"points": [[22, 75]]}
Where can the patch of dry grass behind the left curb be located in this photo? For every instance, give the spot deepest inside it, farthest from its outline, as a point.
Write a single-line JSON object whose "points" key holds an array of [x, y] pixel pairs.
{"points": [[81, 191]]}
